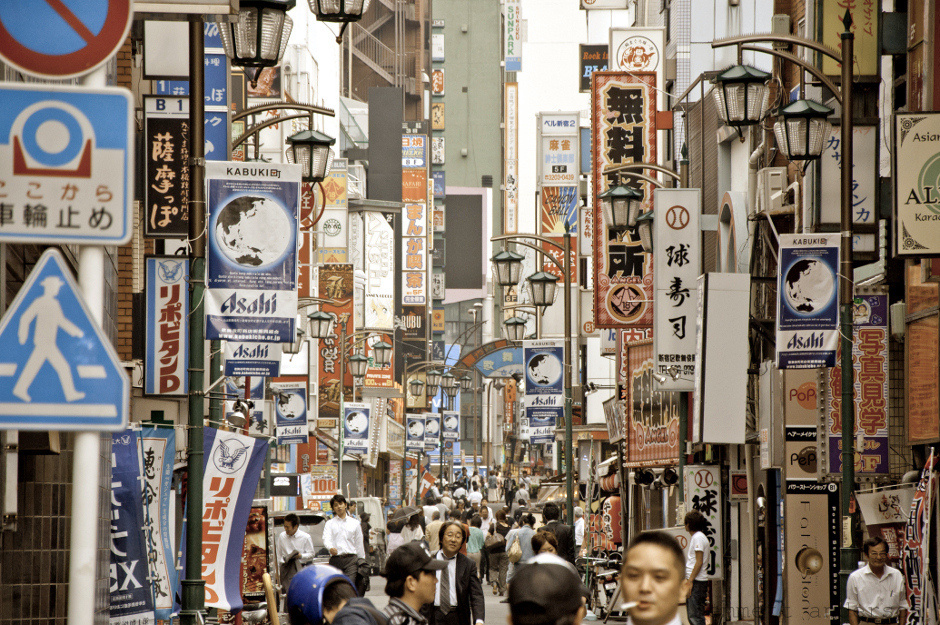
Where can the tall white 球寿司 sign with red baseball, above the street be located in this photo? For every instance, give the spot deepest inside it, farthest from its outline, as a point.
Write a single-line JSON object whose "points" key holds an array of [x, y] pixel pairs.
{"points": [[678, 260]]}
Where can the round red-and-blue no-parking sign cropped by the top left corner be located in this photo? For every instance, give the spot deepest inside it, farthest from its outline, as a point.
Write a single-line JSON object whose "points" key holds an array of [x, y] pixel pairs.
{"points": [[35, 35]]}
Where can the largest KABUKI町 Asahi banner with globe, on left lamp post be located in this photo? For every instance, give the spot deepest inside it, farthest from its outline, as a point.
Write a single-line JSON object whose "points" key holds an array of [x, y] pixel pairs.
{"points": [[251, 251]]}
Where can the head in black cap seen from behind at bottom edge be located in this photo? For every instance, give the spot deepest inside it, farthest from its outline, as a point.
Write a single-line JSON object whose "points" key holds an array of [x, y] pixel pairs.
{"points": [[546, 590]]}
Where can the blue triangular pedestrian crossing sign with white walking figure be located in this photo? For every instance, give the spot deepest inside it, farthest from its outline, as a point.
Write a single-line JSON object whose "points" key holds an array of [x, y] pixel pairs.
{"points": [[57, 369]]}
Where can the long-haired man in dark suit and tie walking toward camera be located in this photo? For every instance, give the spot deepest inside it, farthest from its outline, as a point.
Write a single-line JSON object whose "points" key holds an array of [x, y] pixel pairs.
{"points": [[458, 599]]}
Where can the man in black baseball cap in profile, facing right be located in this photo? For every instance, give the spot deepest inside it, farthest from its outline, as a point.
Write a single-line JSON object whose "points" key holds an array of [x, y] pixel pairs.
{"points": [[410, 583]]}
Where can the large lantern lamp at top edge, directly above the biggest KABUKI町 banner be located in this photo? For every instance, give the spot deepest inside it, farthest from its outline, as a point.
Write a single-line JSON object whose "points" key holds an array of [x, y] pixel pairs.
{"points": [[258, 37]]}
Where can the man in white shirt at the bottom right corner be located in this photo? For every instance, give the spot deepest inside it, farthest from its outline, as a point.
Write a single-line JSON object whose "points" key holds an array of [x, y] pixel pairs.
{"points": [[876, 594]]}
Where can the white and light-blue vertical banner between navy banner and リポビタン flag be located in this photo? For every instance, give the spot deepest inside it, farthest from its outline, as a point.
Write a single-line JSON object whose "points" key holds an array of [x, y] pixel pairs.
{"points": [[158, 449]]}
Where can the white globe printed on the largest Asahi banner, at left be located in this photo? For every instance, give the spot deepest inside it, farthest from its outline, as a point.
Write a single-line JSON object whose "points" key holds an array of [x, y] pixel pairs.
{"points": [[253, 231]]}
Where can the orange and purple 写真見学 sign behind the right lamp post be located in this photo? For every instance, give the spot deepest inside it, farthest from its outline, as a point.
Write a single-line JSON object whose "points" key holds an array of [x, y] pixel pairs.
{"points": [[870, 364]]}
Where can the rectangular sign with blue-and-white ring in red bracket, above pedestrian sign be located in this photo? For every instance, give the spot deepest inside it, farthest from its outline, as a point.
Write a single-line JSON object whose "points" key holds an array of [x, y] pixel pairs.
{"points": [[66, 164]]}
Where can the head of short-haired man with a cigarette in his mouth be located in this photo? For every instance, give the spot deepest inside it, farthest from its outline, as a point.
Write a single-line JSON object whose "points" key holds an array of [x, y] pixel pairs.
{"points": [[653, 578]]}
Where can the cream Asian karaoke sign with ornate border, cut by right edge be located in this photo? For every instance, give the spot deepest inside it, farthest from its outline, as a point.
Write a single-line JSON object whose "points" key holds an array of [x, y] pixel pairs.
{"points": [[917, 190]]}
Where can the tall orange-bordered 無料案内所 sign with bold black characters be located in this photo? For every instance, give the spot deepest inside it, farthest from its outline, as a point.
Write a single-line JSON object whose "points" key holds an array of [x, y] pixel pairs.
{"points": [[623, 128]]}
